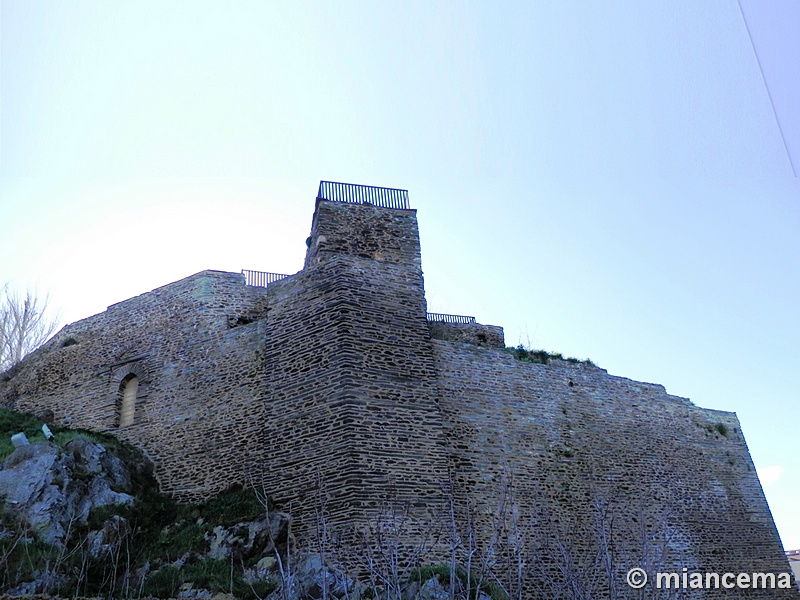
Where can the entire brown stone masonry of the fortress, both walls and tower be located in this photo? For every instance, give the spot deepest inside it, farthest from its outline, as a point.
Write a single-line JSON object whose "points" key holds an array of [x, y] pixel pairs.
{"points": [[332, 381]]}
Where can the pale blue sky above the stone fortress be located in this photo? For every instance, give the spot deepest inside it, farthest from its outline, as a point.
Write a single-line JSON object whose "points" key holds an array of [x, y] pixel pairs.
{"points": [[608, 180]]}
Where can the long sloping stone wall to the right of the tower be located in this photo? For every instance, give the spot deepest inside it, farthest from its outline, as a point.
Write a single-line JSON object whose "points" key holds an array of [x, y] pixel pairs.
{"points": [[579, 453]]}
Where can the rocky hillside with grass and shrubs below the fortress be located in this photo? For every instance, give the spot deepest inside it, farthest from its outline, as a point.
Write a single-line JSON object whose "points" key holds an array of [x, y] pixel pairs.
{"points": [[81, 516]]}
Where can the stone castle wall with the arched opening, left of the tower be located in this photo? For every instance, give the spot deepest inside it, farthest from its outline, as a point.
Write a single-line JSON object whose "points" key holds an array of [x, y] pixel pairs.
{"points": [[200, 375]]}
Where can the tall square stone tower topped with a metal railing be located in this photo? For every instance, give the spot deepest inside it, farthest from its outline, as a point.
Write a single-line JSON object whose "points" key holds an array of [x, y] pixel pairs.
{"points": [[353, 401]]}
